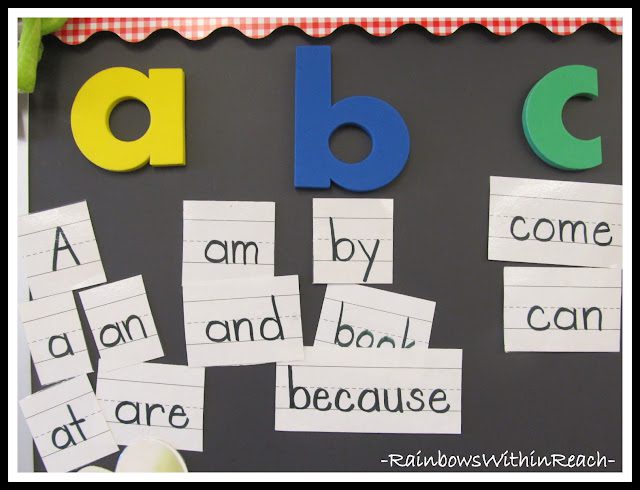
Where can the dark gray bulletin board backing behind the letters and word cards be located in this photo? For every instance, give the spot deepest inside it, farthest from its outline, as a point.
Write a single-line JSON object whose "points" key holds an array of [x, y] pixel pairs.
{"points": [[461, 97]]}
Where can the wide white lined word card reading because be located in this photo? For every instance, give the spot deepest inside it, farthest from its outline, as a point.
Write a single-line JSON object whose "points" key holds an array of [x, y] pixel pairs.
{"points": [[416, 391]]}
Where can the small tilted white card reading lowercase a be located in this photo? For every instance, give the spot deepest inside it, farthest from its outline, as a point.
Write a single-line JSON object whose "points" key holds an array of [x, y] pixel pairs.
{"points": [[54, 333]]}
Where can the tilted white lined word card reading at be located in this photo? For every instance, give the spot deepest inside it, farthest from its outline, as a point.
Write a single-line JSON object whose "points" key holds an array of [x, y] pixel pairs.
{"points": [[67, 425]]}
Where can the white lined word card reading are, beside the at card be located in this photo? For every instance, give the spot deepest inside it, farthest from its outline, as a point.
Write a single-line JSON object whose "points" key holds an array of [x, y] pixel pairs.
{"points": [[161, 401]]}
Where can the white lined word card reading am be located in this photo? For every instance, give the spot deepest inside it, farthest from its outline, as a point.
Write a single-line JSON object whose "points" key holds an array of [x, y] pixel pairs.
{"points": [[227, 239]]}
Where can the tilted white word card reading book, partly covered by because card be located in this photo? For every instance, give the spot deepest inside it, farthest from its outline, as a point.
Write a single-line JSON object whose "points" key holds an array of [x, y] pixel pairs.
{"points": [[360, 316]]}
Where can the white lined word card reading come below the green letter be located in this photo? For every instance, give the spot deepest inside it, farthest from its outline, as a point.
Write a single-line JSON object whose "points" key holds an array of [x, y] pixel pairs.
{"points": [[555, 222]]}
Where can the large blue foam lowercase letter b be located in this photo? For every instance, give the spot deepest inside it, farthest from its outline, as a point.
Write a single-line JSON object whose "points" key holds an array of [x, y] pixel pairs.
{"points": [[317, 119]]}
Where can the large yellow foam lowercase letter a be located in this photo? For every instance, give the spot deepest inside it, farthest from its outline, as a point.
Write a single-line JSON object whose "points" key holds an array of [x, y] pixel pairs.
{"points": [[162, 92]]}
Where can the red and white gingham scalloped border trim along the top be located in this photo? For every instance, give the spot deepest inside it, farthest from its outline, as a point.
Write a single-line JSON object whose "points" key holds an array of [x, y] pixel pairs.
{"points": [[78, 30]]}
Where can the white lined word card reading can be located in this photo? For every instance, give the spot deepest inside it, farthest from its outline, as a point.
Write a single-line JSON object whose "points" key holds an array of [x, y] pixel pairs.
{"points": [[551, 309]]}
